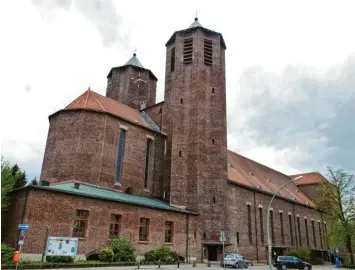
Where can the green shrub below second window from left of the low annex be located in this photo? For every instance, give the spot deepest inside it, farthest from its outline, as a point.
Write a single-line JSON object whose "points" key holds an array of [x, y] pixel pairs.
{"points": [[123, 250]]}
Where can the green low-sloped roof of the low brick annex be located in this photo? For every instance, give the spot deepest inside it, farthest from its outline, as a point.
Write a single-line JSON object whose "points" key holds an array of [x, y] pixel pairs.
{"points": [[101, 193]]}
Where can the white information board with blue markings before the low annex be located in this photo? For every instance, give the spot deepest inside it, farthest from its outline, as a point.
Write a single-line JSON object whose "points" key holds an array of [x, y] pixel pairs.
{"points": [[62, 246]]}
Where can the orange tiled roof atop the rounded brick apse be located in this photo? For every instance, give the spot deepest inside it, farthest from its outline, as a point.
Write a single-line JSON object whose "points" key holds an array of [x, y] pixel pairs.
{"points": [[91, 100]]}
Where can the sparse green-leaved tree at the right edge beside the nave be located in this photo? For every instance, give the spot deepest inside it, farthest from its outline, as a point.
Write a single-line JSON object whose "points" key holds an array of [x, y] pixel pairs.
{"points": [[336, 199]]}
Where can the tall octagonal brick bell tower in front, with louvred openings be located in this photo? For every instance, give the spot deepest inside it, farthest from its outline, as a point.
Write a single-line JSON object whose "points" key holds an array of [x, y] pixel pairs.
{"points": [[195, 120]]}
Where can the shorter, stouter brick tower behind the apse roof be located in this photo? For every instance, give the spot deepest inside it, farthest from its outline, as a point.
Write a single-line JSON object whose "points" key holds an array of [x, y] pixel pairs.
{"points": [[132, 84]]}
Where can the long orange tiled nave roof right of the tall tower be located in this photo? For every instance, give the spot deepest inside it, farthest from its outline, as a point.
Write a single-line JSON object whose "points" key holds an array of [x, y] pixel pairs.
{"points": [[247, 172]]}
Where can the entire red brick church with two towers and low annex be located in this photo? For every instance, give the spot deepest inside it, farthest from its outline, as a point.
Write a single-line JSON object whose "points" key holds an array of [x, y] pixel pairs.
{"points": [[160, 173]]}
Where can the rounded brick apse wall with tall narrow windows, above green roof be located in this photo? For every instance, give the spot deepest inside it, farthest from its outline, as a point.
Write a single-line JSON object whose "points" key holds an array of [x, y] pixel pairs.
{"points": [[83, 145]]}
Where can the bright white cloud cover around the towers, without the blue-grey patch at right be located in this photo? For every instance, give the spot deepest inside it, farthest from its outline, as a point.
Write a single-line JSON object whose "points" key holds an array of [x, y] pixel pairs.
{"points": [[50, 55]]}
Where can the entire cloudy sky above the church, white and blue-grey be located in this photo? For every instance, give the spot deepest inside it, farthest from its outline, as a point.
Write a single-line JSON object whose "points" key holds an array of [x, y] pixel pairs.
{"points": [[290, 71]]}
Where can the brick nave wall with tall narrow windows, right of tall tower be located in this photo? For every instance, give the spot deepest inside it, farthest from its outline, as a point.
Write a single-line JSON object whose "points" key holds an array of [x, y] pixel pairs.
{"points": [[237, 200]]}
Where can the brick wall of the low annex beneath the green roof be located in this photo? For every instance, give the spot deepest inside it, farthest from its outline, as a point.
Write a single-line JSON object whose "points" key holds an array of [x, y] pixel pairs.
{"points": [[58, 210]]}
